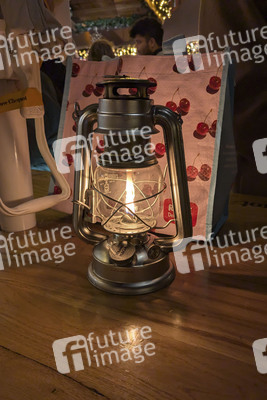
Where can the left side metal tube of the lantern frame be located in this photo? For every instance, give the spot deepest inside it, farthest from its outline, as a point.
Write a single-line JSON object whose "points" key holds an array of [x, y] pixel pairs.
{"points": [[83, 179]]}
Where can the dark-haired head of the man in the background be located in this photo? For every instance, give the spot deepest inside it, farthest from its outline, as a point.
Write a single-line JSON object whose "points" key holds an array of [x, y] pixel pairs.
{"points": [[148, 34]]}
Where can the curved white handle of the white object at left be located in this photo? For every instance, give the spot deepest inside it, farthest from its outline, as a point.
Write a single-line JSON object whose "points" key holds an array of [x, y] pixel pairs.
{"points": [[42, 203]]}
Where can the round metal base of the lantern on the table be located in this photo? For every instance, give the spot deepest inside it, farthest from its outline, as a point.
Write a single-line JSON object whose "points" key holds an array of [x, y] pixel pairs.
{"points": [[130, 280]]}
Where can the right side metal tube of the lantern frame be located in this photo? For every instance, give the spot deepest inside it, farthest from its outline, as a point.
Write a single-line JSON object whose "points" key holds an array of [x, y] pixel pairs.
{"points": [[171, 124]]}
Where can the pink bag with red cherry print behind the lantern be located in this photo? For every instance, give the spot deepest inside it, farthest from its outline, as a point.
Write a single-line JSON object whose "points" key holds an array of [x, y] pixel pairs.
{"points": [[205, 110]]}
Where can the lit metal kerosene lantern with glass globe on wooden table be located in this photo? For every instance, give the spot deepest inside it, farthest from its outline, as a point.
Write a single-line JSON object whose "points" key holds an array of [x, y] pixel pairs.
{"points": [[125, 192]]}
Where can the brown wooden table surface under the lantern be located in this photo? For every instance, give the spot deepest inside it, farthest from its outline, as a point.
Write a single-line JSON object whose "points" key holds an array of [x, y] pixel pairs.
{"points": [[203, 327]]}
